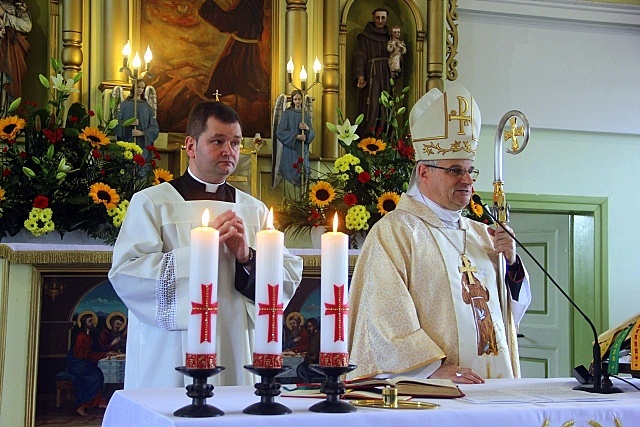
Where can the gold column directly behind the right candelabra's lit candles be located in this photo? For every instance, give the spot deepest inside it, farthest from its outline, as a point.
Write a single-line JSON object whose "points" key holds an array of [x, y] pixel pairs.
{"points": [[296, 37]]}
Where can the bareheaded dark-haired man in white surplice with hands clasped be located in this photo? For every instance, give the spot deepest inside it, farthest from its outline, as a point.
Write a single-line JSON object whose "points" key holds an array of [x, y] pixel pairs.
{"points": [[150, 270]]}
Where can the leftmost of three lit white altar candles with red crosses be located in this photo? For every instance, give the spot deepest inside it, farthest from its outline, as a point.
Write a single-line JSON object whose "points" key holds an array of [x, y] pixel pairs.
{"points": [[203, 294]]}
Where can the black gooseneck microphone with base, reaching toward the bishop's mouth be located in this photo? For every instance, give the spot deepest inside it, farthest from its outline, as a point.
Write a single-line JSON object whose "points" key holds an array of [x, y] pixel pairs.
{"points": [[599, 385]]}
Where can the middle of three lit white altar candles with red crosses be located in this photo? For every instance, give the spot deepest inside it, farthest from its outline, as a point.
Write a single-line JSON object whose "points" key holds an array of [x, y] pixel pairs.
{"points": [[269, 304]]}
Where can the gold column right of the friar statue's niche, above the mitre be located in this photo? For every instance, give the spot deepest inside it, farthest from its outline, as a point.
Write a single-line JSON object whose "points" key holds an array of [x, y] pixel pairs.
{"points": [[435, 36]]}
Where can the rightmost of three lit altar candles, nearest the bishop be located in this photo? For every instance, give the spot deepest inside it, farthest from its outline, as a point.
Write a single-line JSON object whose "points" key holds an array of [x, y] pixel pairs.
{"points": [[334, 294]]}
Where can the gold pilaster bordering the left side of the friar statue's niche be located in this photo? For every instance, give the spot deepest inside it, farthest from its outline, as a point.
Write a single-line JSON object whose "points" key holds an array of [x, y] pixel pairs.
{"points": [[330, 77]]}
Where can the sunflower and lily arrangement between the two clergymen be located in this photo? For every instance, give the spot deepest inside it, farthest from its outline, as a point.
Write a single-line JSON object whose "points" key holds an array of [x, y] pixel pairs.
{"points": [[364, 184]]}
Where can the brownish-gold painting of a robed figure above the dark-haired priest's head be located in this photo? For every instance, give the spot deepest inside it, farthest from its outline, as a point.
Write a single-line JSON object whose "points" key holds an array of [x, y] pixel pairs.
{"points": [[208, 50]]}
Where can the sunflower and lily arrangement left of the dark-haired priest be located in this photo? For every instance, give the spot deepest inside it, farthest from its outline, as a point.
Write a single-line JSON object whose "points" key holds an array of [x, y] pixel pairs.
{"points": [[68, 175]]}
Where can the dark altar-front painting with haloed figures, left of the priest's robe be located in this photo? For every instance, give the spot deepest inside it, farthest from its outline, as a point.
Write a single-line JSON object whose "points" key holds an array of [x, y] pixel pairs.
{"points": [[83, 325]]}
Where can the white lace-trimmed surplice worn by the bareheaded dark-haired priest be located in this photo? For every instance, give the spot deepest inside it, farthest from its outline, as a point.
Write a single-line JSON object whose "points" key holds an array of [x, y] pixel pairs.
{"points": [[150, 272]]}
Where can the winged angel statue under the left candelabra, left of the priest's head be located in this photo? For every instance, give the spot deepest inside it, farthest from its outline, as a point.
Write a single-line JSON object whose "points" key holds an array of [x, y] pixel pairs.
{"points": [[144, 130]]}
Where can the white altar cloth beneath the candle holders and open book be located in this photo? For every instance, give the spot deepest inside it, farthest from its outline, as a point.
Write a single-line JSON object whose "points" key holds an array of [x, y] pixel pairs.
{"points": [[521, 403]]}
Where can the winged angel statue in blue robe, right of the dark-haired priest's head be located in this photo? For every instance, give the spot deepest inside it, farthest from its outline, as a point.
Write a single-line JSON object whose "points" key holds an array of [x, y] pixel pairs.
{"points": [[293, 131]]}
